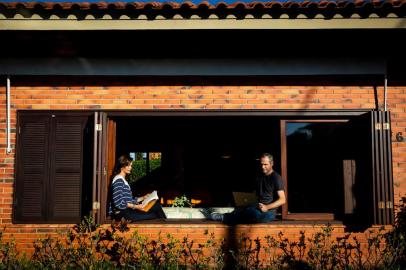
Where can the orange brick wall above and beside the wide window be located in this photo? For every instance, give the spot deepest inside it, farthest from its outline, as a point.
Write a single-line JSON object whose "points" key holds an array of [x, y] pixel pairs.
{"points": [[58, 97]]}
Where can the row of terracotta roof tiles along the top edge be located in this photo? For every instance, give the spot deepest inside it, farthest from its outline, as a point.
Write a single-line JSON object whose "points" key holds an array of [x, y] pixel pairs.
{"points": [[205, 8]]}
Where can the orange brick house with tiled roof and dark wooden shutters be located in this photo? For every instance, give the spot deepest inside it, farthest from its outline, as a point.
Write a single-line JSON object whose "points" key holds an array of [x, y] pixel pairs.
{"points": [[208, 87]]}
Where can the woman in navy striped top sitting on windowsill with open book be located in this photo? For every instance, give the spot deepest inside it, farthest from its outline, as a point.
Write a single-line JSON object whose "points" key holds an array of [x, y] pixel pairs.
{"points": [[123, 205]]}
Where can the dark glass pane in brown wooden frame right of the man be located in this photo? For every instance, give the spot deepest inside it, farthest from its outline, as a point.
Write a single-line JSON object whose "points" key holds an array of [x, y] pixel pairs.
{"points": [[314, 167]]}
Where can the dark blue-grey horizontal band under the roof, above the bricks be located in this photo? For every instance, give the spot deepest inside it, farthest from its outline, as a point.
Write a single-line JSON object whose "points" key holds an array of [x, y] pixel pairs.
{"points": [[192, 66]]}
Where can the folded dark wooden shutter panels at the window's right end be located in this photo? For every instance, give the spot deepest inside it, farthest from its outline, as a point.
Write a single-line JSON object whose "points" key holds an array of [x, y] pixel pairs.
{"points": [[373, 187]]}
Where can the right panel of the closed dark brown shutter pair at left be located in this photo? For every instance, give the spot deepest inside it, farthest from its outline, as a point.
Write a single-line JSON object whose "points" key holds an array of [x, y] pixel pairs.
{"points": [[65, 183]]}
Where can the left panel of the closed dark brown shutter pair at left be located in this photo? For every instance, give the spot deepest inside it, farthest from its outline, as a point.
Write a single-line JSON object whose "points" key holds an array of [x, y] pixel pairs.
{"points": [[32, 169]]}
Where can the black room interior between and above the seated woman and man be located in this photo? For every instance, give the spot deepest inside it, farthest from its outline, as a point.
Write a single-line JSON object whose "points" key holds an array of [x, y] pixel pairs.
{"points": [[203, 157]]}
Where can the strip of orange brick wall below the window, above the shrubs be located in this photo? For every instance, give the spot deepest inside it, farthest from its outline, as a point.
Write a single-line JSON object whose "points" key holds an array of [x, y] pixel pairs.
{"points": [[25, 235]]}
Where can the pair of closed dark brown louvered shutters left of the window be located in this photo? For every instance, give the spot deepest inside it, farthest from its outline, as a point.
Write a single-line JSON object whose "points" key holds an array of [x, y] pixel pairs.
{"points": [[49, 170]]}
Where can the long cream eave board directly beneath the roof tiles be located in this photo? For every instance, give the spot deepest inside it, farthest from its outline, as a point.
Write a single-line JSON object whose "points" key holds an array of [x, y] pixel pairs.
{"points": [[197, 24]]}
